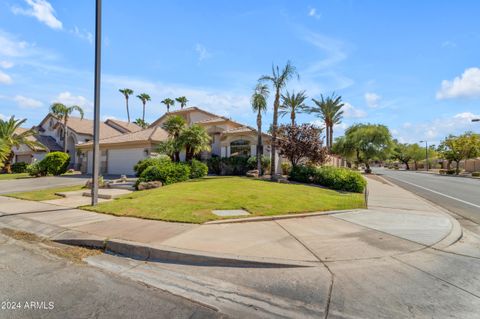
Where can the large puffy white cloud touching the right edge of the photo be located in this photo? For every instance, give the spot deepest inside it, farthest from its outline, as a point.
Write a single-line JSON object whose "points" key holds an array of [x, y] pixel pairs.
{"points": [[467, 85]]}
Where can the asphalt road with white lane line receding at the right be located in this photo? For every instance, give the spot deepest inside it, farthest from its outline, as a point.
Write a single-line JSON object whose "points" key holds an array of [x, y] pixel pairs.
{"points": [[459, 195]]}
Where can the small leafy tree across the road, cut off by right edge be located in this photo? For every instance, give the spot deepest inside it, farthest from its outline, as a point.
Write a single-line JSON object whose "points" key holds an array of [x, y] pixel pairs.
{"points": [[458, 148]]}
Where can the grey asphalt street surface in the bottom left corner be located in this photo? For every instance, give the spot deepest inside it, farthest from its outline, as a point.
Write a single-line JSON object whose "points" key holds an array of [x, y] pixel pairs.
{"points": [[41, 285]]}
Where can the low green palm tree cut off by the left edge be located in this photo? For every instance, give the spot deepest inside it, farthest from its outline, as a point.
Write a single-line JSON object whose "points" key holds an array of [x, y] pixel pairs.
{"points": [[11, 137]]}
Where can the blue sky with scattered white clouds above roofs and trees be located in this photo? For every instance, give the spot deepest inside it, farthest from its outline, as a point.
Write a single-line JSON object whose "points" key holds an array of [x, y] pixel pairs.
{"points": [[412, 65]]}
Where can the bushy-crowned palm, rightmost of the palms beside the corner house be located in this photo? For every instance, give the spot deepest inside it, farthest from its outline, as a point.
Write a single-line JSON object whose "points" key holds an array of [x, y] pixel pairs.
{"points": [[329, 110]]}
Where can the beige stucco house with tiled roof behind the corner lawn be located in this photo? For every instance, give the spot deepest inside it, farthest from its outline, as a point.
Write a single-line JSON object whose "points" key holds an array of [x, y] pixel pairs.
{"points": [[120, 153]]}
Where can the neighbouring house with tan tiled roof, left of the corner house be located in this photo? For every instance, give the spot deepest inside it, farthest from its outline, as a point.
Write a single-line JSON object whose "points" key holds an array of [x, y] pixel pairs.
{"points": [[51, 137]]}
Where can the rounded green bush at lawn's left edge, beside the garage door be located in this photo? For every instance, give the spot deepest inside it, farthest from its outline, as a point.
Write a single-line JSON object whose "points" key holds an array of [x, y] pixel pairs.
{"points": [[167, 173]]}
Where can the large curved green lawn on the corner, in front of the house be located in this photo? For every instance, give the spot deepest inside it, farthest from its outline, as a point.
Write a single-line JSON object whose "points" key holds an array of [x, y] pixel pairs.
{"points": [[193, 201]]}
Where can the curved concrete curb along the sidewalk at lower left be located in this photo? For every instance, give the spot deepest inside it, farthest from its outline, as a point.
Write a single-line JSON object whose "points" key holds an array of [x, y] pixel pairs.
{"points": [[135, 250]]}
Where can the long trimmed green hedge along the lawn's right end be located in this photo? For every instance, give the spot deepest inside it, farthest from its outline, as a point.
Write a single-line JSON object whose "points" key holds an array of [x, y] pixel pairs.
{"points": [[337, 178]]}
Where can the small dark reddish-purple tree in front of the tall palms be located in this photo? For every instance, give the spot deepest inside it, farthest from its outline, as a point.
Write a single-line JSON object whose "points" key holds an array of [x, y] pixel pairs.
{"points": [[301, 143]]}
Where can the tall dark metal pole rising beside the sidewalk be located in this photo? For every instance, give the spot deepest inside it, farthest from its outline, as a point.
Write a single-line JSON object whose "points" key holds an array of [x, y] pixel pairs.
{"points": [[96, 113]]}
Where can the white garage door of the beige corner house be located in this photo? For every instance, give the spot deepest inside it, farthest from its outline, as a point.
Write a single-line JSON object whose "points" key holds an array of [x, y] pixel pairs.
{"points": [[122, 161]]}
